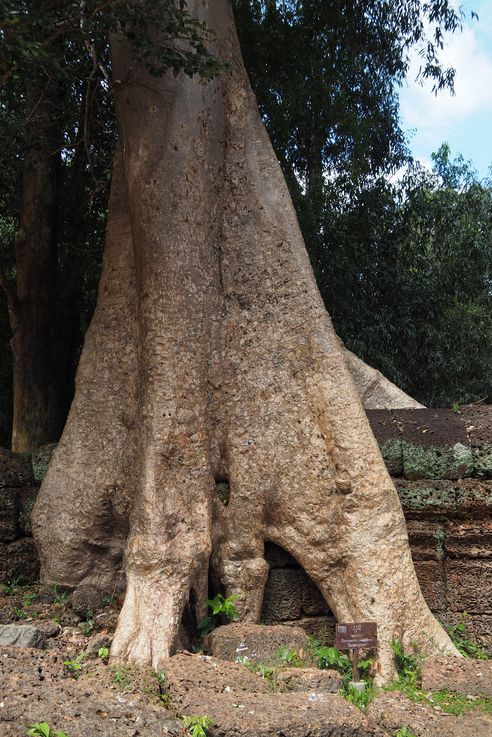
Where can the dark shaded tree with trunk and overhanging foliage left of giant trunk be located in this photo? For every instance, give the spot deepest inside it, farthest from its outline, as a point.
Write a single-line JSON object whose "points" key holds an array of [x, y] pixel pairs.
{"points": [[57, 117]]}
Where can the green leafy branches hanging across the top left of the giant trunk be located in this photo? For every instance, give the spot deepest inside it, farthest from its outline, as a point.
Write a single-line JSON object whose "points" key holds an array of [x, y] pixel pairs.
{"points": [[31, 39]]}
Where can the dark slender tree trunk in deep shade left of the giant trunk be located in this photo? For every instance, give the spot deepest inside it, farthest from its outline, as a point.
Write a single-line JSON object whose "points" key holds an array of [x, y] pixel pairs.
{"points": [[37, 314]]}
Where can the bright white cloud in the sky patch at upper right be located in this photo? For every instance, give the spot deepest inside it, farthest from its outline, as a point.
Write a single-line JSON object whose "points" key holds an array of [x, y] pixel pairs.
{"points": [[471, 56]]}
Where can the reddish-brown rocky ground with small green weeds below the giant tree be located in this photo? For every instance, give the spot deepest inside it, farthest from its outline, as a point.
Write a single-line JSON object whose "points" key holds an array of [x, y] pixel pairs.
{"points": [[71, 686]]}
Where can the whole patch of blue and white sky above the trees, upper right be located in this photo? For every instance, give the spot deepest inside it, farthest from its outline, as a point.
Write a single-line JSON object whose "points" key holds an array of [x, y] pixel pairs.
{"points": [[463, 120]]}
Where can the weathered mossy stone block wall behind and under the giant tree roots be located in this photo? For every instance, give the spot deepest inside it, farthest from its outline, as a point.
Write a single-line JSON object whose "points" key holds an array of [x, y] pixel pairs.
{"points": [[441, 463]]}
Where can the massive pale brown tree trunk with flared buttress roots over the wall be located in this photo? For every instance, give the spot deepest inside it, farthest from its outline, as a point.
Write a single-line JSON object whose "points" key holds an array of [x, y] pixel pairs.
{"points": [[211, 359]]}
